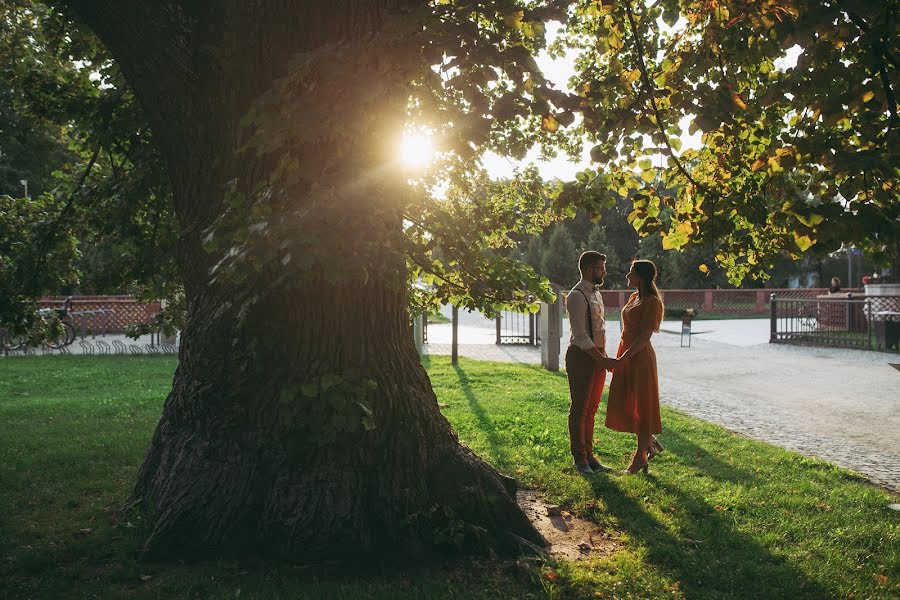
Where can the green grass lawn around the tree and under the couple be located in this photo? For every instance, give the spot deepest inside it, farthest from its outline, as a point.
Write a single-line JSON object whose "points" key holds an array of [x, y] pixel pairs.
{"points": [[720, 516]]}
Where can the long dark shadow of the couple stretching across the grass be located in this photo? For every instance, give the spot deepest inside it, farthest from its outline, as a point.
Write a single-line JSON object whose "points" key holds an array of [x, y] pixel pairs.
{"points": [[707, 555]]}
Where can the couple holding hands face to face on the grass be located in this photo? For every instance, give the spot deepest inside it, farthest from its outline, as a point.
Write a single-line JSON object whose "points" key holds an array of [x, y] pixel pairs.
{"points": [[633, 404]]}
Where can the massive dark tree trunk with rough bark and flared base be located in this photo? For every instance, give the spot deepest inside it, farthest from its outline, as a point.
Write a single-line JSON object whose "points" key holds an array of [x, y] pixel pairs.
{"points": [[300, 422]]}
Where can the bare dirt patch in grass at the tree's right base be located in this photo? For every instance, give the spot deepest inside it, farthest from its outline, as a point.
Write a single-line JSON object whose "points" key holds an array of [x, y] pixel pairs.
{"points": [[570, 537]]}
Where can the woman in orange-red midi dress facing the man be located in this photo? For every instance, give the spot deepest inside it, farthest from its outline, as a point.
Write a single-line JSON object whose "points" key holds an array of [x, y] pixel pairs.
{"points": [[633, 404]]}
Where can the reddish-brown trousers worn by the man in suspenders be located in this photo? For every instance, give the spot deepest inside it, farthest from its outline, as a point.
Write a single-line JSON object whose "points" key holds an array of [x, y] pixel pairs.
{"points": [[586, 390]]}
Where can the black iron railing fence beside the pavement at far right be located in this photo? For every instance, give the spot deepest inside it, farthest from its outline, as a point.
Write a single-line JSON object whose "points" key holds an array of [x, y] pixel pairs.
{"points": [[867, 323]]}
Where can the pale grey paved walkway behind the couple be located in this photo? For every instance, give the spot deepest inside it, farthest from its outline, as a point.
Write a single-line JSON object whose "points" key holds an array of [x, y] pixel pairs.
{"points": [[839, 405]]}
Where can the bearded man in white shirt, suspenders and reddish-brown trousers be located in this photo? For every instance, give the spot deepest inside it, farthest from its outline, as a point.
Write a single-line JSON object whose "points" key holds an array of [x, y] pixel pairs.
{"points": [[586, 359]]}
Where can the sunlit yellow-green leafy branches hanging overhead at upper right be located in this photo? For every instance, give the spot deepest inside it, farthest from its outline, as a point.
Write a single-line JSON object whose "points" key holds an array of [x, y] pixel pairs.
{"points": [[790, 158]]}
